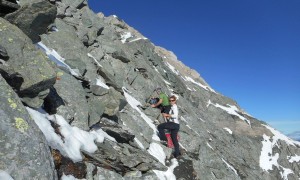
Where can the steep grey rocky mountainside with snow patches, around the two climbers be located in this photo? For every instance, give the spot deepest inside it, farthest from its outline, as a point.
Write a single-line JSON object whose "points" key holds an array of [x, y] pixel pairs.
{"points": [[72, 86]]}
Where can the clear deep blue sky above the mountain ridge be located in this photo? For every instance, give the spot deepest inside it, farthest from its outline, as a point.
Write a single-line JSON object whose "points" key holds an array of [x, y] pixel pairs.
{"points": [[247, 50]]}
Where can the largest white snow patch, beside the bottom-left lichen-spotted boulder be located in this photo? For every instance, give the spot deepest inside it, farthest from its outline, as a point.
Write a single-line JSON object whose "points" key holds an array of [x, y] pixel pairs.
{"points": [[75, 139]]}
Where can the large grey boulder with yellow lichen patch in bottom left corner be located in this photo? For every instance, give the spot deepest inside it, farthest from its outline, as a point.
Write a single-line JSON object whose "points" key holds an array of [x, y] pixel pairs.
{"points": [[24, 152]]}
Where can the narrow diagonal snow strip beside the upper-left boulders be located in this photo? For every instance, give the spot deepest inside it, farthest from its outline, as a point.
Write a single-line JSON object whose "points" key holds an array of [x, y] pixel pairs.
{"points": [[55, 57]]}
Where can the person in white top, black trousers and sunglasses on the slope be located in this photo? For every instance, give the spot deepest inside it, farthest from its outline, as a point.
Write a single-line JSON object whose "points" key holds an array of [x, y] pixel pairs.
{"points": [[172, 124]]}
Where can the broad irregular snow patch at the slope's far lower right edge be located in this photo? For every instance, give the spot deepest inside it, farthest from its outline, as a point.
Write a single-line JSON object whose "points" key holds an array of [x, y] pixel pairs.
{"points": [[267, 160]]}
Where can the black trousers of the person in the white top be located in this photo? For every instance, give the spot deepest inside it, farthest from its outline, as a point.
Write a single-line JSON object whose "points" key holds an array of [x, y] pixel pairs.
{"points": [[174, 128]]}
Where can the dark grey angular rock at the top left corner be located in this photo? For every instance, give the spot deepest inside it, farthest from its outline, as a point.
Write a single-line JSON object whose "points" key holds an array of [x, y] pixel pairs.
{"points": [[33, 19]]}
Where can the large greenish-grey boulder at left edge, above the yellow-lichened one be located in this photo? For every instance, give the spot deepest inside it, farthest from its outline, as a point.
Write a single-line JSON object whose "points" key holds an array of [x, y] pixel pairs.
{"points": [[27, 69]]}
